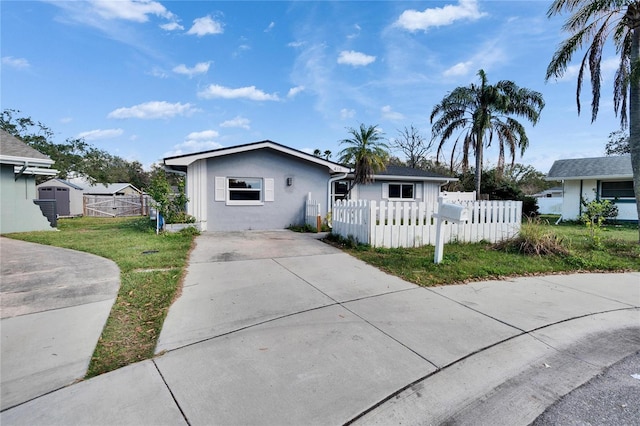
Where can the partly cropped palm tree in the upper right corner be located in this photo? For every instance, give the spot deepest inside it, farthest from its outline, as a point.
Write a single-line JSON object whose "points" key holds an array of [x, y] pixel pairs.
{"points": [[591, 24]]}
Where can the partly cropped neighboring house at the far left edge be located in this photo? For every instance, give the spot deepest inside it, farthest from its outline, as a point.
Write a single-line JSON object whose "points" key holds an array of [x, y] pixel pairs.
{"points": [[20, 164]]}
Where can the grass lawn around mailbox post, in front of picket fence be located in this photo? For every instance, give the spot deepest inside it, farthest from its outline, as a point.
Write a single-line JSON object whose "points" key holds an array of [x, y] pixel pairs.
{"points": [[574, 251]]}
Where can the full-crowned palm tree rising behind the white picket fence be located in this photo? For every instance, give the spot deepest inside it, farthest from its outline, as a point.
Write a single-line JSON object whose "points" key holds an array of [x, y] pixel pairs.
{"points": [[478, 113]]}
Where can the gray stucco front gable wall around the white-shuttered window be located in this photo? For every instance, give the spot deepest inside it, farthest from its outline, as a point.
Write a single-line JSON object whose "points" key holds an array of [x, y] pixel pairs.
{"points": [[287, 207]]}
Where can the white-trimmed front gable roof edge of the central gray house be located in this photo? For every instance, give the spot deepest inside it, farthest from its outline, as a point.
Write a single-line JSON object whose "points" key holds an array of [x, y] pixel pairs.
{"points": [[181, 161]]}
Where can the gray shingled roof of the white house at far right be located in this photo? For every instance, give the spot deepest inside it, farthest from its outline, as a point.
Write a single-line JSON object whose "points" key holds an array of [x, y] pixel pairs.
{"points": [[591, 168]]}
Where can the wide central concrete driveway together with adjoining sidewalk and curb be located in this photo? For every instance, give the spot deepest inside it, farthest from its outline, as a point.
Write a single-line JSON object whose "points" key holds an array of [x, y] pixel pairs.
{"points": [[279, 328]]}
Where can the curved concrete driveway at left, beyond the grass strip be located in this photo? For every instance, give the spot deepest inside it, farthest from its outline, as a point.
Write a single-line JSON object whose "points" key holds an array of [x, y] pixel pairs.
{"points": [[53, 306]]}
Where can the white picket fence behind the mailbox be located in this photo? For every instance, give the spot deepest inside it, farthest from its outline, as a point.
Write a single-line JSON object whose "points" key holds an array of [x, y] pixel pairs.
{"points": [[401, 224]]}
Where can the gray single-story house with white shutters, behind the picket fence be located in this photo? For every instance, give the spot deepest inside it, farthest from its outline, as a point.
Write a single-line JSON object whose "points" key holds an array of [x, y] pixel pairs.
{"points": [[265, 185]]}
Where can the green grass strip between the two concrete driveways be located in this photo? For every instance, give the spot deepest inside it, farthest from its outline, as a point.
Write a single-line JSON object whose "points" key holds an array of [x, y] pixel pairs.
{"points": [[151, 269]]}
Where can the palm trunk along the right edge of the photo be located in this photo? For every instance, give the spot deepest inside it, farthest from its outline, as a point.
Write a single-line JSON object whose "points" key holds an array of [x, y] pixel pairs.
{"points": [[634, 123]]}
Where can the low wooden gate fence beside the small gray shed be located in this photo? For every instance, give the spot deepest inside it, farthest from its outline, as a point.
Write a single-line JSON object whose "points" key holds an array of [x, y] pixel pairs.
{"points": [[116, 205]]}
